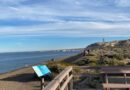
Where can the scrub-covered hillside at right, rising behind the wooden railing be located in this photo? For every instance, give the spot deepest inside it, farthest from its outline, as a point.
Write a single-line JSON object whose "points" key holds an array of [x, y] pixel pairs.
{"points": [[106, 53]]}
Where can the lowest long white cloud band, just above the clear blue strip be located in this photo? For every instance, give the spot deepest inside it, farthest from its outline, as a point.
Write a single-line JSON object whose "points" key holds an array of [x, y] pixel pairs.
{"points": [[70, 29]]}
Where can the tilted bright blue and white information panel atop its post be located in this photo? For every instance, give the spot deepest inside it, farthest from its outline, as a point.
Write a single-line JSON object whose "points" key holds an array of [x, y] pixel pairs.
{"points": [[41, 70]]}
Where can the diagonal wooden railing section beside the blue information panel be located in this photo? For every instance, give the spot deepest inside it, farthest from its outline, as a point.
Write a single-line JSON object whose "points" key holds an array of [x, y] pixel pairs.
{"points": [[64, 81]]}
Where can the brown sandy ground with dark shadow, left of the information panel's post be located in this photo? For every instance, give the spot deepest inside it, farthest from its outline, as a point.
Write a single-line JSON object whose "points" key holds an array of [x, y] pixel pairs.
{"points": [[22, 79]]}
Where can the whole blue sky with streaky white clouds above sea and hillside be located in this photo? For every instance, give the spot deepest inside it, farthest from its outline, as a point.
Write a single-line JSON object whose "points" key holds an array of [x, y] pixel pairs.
{"points": [[33, 25]]}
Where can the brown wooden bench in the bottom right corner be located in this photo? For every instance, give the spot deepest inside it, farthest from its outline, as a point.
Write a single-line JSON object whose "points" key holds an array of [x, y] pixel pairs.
{"points": [[116, 71]]}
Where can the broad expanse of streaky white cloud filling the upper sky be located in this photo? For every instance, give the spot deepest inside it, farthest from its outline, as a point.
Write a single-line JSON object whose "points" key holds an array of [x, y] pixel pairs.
{"points": [[68, 18]]}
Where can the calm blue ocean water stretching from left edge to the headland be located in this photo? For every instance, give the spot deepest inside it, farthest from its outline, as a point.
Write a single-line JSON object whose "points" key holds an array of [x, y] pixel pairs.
{"points": [[13, 61]]}
